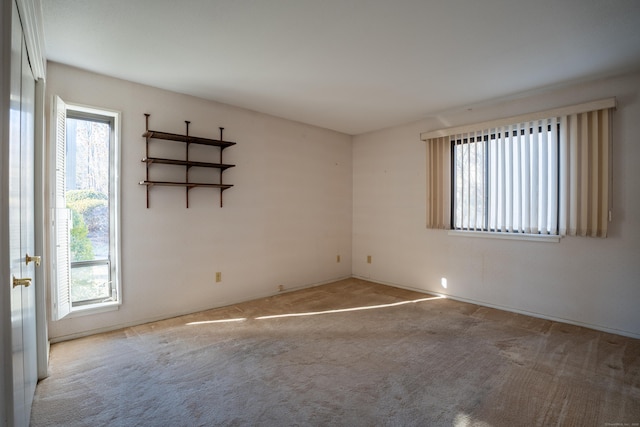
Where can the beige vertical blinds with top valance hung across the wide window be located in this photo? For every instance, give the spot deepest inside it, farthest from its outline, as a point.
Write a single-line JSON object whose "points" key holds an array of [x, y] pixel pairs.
{"points": [[546, 173]]}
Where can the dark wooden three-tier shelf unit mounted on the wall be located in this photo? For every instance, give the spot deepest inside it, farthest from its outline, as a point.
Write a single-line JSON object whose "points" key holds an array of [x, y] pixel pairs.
{"points": [[187, 163]]}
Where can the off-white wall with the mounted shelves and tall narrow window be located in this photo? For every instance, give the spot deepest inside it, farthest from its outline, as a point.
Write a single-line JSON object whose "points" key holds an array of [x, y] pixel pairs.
{"points": [[283, 223]]}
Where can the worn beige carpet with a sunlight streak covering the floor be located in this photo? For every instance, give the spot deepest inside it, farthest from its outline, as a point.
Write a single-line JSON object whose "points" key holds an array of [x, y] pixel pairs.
{"points": [[405, 360]]}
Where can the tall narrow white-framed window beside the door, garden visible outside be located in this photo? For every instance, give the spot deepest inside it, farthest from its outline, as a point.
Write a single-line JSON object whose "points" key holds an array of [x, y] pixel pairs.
{"points": [[86, 213]]}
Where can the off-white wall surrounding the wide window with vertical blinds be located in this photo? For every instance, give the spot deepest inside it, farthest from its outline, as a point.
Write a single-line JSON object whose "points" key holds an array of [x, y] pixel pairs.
{"points": [[587, 281]]}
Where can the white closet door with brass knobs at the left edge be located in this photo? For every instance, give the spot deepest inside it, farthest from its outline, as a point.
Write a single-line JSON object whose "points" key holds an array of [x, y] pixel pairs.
{"points": [[20, 206]]}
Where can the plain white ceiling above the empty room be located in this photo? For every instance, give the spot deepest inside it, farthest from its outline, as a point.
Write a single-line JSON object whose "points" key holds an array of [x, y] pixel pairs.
{"points": [[349, 65]]}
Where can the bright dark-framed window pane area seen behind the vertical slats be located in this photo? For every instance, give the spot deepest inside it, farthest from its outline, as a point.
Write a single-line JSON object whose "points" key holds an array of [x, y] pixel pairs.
{"points": [[506, 180]]}
